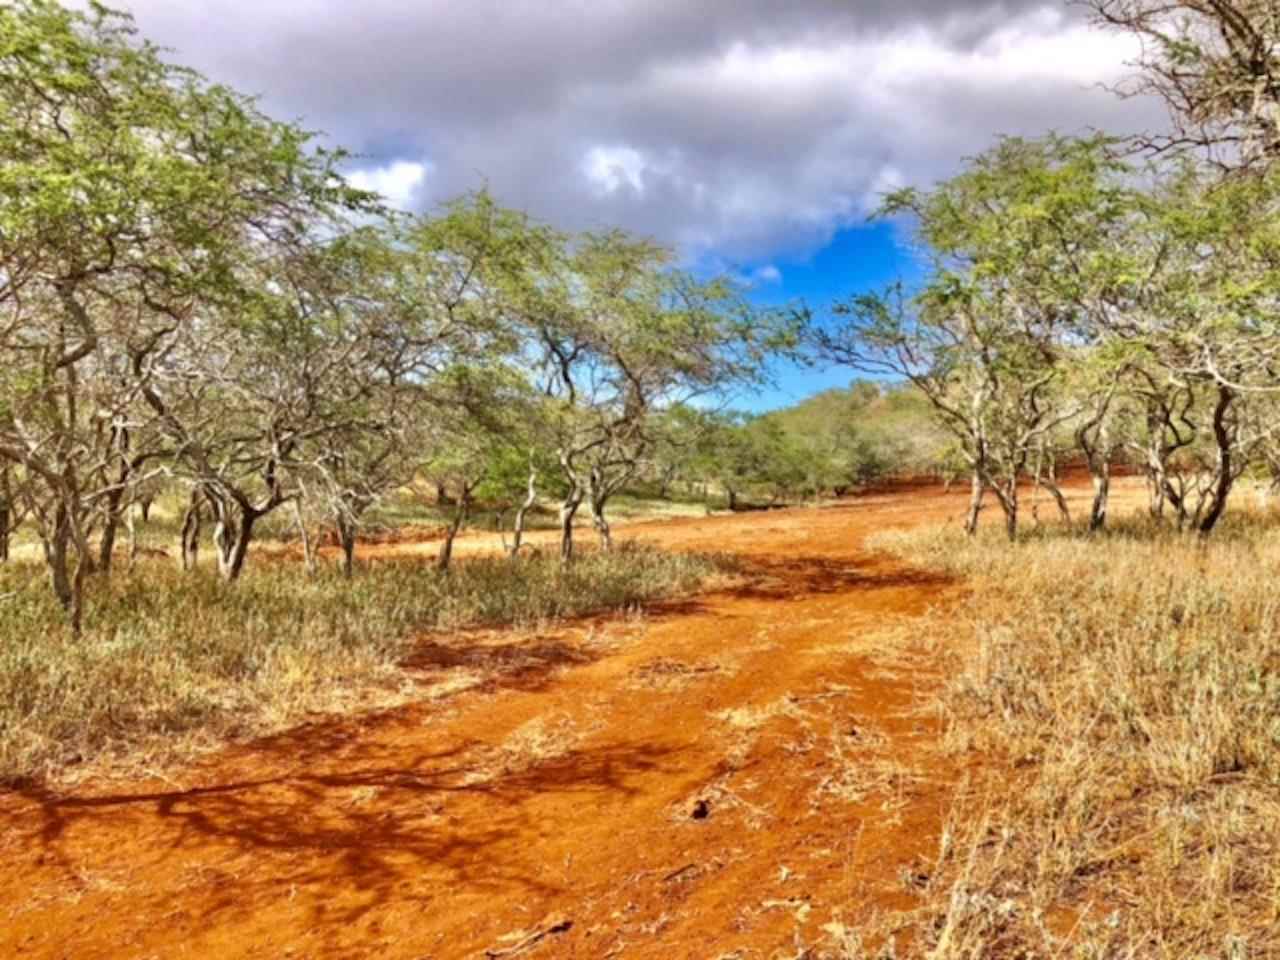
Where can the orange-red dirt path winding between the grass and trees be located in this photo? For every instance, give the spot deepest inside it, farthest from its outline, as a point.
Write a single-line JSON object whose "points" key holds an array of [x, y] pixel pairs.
{"points": [[719, 779]]}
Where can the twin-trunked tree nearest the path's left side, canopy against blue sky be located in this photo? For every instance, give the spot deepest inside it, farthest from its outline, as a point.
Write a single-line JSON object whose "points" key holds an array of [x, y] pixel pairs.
{"points": [[623, 337]]}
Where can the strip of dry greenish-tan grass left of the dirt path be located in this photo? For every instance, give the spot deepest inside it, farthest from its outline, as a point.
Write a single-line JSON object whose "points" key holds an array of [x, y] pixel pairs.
{"points": [[173, 664]]}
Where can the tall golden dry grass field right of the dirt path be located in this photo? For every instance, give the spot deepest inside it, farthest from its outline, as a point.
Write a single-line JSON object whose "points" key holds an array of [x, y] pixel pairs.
{"points": [[1123, 694]]}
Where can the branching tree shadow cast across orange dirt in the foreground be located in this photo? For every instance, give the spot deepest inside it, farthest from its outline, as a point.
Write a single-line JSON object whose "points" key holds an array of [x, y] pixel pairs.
{"points": [[353, 838]]}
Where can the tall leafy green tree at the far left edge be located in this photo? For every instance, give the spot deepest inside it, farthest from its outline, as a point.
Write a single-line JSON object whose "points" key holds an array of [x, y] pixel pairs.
{"points": [[130, 191]]}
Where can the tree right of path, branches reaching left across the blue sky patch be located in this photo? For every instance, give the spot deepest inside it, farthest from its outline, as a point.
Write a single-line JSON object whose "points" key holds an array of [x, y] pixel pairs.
{"points": [[1013, 245]]}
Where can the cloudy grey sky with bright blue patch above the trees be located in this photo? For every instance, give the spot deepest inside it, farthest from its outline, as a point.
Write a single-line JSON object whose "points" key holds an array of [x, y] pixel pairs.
{"points": [[752, 136]]}
